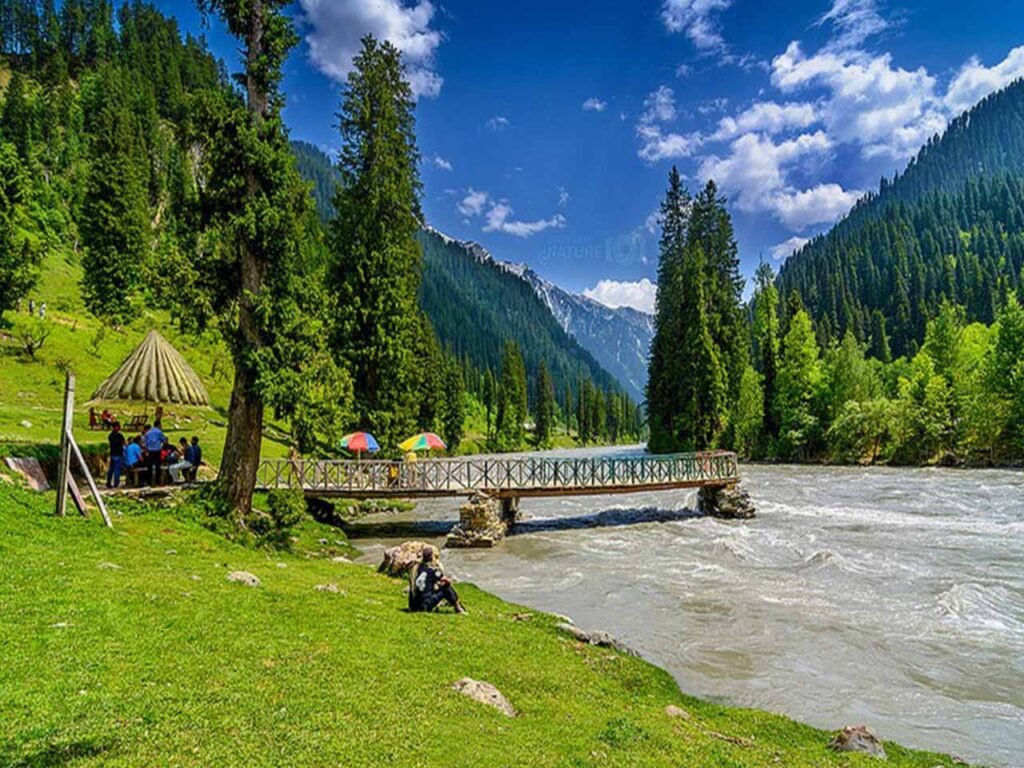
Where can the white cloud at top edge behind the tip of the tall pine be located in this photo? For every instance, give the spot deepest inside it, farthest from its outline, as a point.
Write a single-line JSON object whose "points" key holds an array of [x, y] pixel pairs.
{"points": [[336, 27]]}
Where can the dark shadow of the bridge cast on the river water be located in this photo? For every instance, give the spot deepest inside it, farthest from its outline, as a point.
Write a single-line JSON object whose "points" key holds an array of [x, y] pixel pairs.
{"points": [[609, 519]]}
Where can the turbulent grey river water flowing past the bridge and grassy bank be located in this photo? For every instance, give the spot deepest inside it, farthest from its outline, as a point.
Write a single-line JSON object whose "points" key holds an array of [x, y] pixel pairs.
{"points": [[892, 598]]}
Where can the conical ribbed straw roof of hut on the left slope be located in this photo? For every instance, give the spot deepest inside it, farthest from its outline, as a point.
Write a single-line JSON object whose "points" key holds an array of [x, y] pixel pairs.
{"points": [[155, 372]]}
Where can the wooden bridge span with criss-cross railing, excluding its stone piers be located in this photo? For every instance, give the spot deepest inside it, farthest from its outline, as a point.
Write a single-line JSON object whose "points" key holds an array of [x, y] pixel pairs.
{"points": [[504, 478]]}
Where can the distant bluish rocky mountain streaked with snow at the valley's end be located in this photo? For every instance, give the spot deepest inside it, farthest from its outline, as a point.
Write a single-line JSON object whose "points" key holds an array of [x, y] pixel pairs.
{"points": [[620, 339]]}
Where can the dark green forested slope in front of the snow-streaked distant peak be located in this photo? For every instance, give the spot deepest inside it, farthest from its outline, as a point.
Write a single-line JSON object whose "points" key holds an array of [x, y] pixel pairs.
{"points": [[477, 304]]}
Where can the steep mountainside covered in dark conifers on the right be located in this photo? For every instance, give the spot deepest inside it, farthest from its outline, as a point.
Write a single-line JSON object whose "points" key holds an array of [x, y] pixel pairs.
{"points": [[950, 228]]}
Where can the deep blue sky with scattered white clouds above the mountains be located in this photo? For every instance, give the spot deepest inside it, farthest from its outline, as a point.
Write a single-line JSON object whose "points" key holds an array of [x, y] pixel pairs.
{"points": [[548, 130]]}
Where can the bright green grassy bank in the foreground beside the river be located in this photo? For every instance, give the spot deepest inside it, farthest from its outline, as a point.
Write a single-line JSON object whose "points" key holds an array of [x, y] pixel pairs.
{"points": [[130, 648]]}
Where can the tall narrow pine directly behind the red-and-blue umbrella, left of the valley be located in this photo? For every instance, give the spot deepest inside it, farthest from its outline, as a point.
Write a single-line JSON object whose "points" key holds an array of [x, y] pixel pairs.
{"points": [[376, 257]]}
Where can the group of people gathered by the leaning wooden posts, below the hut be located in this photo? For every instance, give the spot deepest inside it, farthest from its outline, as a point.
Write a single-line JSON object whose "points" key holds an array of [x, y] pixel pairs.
{"points": [[152, 451]]}
